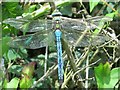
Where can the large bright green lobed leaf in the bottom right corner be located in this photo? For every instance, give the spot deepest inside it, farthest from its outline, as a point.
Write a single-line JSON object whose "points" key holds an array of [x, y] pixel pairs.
{"points": [[105, 77]]}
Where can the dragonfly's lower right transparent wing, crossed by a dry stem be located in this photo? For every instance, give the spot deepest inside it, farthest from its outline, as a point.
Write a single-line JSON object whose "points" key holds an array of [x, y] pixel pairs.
{"points": [[86, 40]]}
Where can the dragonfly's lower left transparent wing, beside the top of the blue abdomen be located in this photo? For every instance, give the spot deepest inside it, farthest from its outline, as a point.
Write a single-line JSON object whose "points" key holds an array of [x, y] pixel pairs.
{"points": [[33, 41]]}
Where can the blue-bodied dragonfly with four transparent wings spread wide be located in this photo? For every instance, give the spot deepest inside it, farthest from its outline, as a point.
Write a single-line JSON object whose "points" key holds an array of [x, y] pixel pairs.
{"points": [[50, 32]]}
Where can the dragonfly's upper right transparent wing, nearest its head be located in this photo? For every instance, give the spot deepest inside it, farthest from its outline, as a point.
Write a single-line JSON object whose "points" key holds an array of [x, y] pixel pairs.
{"points": [[69, 24]]}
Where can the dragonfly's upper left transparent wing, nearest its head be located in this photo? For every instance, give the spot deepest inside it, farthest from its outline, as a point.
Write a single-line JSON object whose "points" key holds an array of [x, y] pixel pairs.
{"points": [[29, 25]]}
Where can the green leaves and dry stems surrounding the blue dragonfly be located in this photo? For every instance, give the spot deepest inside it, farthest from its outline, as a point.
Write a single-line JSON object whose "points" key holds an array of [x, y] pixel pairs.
{"points": [[20, 64]]}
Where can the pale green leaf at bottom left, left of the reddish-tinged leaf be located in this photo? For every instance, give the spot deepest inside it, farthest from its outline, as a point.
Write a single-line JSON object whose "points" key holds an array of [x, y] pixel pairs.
{"points": [[13, 83]]}
